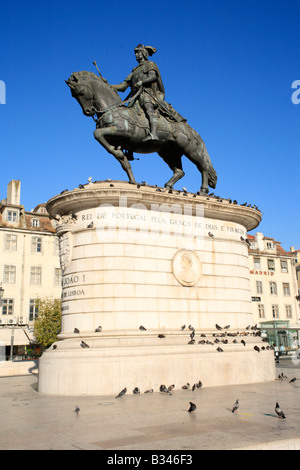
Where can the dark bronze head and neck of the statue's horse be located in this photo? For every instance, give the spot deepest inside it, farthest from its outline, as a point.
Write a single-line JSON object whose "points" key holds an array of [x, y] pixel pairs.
{"points": [[93, 93]]}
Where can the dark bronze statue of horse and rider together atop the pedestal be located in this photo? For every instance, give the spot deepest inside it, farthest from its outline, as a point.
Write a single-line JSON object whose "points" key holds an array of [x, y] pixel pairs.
{"points": [[144, 122]]}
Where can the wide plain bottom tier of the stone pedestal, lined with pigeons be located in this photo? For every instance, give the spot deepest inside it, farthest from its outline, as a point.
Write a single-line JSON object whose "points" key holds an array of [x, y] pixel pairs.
{"points": [[146, 362]]}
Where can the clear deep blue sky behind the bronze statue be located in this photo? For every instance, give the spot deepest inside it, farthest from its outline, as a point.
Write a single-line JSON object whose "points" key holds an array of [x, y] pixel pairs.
{"points": [[227, 66]]}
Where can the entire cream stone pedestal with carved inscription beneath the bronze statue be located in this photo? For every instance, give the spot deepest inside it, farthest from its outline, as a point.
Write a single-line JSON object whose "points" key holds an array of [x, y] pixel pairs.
{"points": [[137, 256]]}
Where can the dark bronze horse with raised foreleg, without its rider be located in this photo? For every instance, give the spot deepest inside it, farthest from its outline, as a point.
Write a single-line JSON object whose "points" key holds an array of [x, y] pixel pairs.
{"points": [[121, 130]]}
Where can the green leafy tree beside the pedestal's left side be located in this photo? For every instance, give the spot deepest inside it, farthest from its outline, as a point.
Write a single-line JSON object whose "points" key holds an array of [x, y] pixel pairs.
{"points": [[47, 324]]}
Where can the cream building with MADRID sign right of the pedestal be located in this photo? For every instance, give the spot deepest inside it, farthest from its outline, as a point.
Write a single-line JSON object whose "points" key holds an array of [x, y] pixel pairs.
{"points": [[274, 289]]}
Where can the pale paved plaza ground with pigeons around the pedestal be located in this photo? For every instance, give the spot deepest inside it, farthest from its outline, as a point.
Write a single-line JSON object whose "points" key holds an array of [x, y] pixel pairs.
{"points": [[153, 421]]}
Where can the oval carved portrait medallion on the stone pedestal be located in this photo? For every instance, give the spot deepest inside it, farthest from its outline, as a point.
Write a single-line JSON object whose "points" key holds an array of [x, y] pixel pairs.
{"points": [[187, 267]]}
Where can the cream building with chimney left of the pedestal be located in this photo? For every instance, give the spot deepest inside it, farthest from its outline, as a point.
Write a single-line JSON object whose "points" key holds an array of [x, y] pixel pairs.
{"points": [[29, 263]]}
